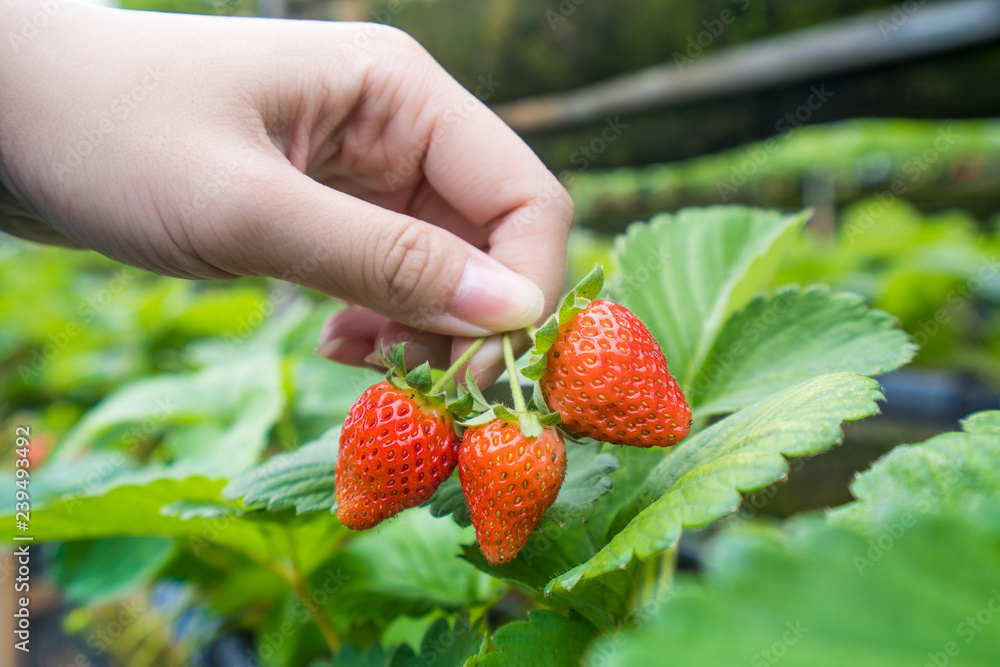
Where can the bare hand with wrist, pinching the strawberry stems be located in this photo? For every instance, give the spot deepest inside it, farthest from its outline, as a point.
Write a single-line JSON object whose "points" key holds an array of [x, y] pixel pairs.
{"points": [[339, 156]]}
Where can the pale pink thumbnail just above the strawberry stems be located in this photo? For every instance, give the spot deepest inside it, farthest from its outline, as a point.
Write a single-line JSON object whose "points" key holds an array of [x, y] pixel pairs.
{"points": [[495, 298]]}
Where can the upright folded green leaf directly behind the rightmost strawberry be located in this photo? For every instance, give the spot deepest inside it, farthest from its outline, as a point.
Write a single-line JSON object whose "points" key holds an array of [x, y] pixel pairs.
{"points": [[684, 274]]}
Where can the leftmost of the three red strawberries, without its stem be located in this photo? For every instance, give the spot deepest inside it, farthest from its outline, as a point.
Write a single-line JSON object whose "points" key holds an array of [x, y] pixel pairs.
{"points": [[396, 447]]}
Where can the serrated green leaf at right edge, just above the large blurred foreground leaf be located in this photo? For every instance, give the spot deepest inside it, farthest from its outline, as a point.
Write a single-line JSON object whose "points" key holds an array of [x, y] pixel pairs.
{"points": [[950, 474]]}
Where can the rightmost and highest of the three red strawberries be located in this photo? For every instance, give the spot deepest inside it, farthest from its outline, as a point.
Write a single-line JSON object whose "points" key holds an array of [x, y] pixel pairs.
{"points": [[607, 378]]}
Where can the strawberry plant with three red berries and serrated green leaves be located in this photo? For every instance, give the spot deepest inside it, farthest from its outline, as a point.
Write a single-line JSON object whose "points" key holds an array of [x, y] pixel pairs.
{"points": [[237, 480]]}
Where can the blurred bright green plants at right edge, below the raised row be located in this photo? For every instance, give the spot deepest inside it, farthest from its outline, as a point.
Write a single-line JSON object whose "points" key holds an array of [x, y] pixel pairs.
{"points": [[940, 274]]}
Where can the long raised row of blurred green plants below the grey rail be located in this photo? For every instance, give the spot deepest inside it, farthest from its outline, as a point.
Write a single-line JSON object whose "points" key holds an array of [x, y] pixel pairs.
{"points": [[937, 163]]}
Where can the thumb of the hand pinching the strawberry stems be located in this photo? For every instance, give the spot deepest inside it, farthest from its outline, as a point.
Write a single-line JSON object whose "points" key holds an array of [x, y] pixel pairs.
{"points": [[406, 269]]}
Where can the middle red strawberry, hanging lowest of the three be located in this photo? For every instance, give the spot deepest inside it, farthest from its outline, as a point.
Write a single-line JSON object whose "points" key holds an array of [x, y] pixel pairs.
{"points": [[509, 481]]}
